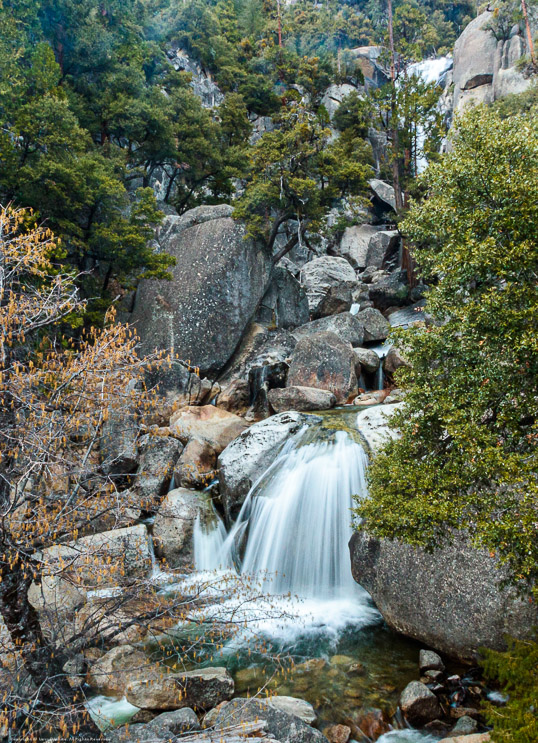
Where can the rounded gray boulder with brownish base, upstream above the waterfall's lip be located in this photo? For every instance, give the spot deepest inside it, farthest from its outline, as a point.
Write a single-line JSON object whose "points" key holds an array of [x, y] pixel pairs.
{"points": [[324, 361]]}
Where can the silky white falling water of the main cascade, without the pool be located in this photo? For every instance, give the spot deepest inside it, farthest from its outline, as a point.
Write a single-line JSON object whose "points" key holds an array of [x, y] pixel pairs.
{"points": [[297, 518]]}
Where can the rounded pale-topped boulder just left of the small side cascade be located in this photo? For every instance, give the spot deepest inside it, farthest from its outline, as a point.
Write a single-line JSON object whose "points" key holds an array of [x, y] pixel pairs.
{"points": [[174, 524]]}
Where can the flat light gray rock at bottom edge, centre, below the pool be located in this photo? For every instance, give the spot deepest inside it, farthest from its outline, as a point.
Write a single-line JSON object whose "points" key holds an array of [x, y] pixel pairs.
{"points": [[284, 727]]}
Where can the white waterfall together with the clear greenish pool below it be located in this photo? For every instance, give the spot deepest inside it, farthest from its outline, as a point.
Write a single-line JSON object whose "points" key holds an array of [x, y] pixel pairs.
{"points": [[281, 576]]}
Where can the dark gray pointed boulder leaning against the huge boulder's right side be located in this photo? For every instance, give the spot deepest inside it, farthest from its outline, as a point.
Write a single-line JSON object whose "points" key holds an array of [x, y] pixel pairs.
{"points": [[284, 304]]}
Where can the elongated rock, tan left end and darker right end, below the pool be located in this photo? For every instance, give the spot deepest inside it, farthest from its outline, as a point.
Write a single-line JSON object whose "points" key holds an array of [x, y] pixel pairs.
{"points": [[200, 689]]}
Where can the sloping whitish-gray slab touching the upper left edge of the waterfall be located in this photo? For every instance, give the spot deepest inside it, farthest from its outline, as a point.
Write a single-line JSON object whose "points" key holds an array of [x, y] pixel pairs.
{"points": [[250, 454]]}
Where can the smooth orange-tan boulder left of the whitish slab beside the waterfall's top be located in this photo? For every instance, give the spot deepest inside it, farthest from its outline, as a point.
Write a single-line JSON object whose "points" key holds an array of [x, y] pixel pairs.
{"points": [[216, 426]]}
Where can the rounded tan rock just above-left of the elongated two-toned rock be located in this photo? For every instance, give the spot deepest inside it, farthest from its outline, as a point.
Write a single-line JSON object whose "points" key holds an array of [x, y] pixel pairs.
{"points": [[114, 670]]}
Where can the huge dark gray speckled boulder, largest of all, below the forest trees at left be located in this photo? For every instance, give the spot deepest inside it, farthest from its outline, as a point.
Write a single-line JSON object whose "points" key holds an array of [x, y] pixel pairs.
{"points": [[216, 287]]}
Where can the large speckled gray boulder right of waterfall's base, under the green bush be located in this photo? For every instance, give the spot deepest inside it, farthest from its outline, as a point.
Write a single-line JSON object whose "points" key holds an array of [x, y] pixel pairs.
{"points": [[449, 599]]}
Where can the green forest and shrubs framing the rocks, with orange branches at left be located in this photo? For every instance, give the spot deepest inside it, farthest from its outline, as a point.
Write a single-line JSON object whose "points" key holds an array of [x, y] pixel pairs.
{"points": [[93, 112]]}
